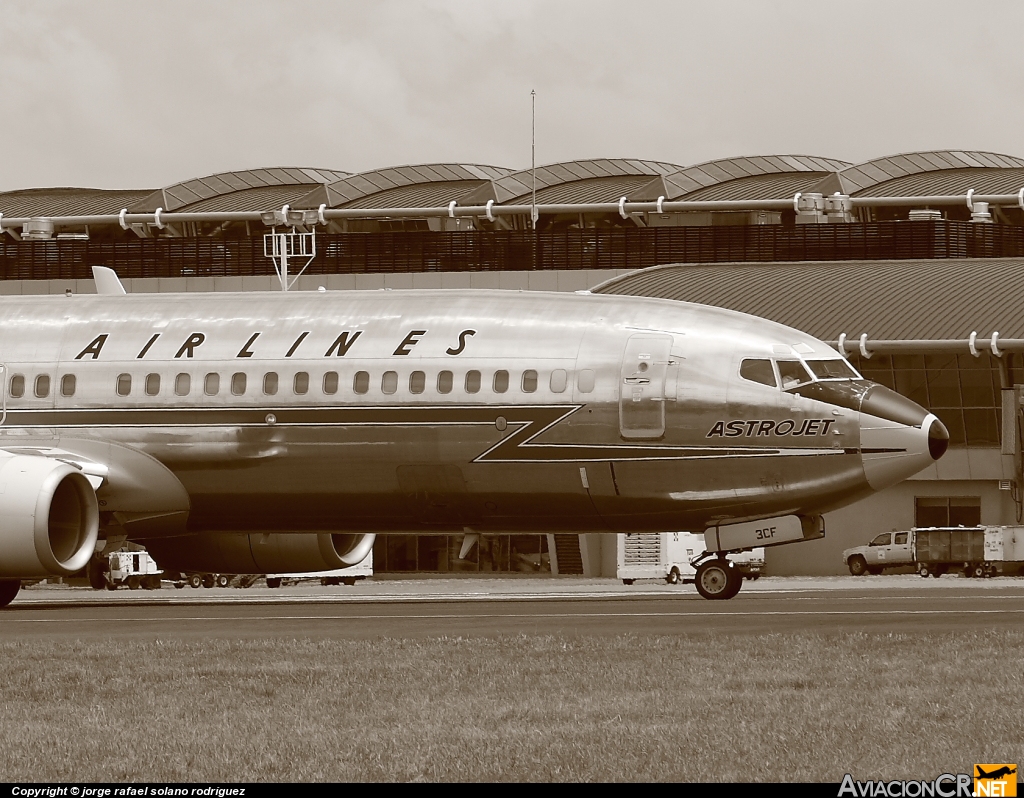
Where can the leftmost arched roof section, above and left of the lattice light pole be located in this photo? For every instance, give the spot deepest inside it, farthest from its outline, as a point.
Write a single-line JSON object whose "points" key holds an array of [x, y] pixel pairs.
{"points": [[184, 196]]}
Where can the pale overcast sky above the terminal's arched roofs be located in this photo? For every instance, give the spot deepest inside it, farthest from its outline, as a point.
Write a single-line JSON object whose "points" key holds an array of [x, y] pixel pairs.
{"points": [[143, 95]]}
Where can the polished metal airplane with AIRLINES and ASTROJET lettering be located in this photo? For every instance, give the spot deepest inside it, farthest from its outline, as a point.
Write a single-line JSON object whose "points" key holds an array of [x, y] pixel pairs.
{"points": [[278, 433]]}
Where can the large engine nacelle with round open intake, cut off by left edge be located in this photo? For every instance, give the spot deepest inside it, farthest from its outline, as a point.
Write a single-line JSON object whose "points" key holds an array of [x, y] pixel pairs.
{"points": [[50, 518]]}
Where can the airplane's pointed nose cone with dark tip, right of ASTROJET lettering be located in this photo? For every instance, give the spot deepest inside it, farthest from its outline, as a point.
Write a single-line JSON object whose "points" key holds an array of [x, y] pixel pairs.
{"points": [[899, 438]]}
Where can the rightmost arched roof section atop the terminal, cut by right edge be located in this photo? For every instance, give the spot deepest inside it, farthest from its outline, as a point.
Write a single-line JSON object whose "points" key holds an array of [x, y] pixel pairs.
{"points": [[867, 179]]}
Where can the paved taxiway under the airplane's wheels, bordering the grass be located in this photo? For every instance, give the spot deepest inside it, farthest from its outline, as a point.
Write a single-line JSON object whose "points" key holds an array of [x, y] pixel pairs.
{"points": [[480, 607]]}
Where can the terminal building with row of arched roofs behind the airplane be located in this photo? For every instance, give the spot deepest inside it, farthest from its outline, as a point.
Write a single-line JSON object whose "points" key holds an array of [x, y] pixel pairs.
{"points": [[899, 251]]}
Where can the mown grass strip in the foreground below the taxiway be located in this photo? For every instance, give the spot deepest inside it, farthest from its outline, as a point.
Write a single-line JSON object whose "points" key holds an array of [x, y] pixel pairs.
{"points": [[777, 707]]}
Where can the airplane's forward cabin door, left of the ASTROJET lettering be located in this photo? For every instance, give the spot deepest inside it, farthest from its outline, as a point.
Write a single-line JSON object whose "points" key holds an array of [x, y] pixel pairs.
{"points": [[642, 387]]}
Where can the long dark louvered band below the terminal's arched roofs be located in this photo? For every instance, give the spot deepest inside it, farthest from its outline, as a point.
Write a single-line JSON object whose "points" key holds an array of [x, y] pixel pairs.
{"points": [[517, 251]]}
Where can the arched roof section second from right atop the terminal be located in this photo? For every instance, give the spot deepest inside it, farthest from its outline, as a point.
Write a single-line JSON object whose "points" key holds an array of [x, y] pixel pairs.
{"points": [[727, 179]]}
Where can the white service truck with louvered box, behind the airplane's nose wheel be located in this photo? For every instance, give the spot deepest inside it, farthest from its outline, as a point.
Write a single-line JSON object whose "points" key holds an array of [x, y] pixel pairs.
{"points": [[668, 556]]}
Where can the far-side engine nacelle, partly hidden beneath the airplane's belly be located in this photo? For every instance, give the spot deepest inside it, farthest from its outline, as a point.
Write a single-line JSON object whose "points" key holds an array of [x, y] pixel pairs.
{"points": [[276, 553]]}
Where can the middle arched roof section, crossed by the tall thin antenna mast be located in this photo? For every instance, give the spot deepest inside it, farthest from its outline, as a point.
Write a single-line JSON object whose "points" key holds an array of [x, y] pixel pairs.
{"points": [[520, 185]]}
